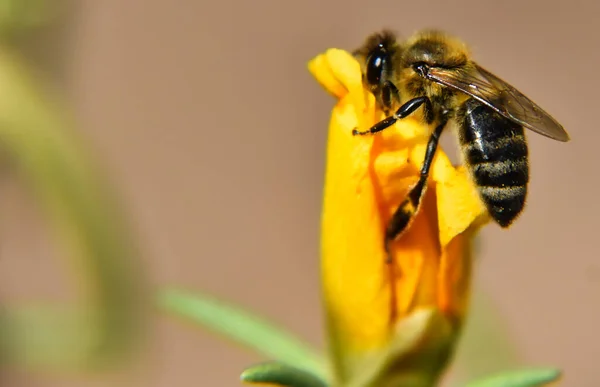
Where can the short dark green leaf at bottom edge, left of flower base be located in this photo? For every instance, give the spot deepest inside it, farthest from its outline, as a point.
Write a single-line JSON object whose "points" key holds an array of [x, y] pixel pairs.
{"points": [[281, 374]]}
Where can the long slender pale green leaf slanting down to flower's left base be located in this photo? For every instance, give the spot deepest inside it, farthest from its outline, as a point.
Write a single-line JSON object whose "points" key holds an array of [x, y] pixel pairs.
{"points": [[243, 327]]}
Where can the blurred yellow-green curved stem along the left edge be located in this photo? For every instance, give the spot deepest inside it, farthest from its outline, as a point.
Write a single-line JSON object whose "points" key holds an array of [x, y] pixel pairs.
{"points": [[37, 137]]}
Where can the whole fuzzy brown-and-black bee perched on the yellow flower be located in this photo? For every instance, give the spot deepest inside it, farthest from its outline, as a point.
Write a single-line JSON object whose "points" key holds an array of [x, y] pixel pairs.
{"points": [[435, 71]]}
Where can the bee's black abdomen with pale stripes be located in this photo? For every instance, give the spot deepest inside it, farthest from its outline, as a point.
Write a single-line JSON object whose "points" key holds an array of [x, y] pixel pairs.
{"points": [[496, 154]]}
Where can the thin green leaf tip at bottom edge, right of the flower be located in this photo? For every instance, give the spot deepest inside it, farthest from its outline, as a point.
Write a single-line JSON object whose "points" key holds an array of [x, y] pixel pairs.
{"points": [[528, 378]]}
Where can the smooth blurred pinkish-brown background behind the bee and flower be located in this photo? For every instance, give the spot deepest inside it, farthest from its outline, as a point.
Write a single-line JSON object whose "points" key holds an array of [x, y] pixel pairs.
{"points": [[206, 121]]}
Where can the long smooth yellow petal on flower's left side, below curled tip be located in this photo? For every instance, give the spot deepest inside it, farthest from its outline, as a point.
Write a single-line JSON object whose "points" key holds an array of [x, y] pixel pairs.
{"points": [[351, 250]]}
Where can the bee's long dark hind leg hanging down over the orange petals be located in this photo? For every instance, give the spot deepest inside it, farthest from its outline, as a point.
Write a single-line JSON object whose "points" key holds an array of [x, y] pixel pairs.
{"points": [[405, 213]]}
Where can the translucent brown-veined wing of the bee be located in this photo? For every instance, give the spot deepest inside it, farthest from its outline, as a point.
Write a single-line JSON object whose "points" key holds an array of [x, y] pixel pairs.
{"points": [[500, 96]]}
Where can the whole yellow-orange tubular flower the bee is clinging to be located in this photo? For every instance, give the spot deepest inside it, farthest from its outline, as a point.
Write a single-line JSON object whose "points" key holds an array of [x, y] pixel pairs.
{"points": [[389, 324]]}
